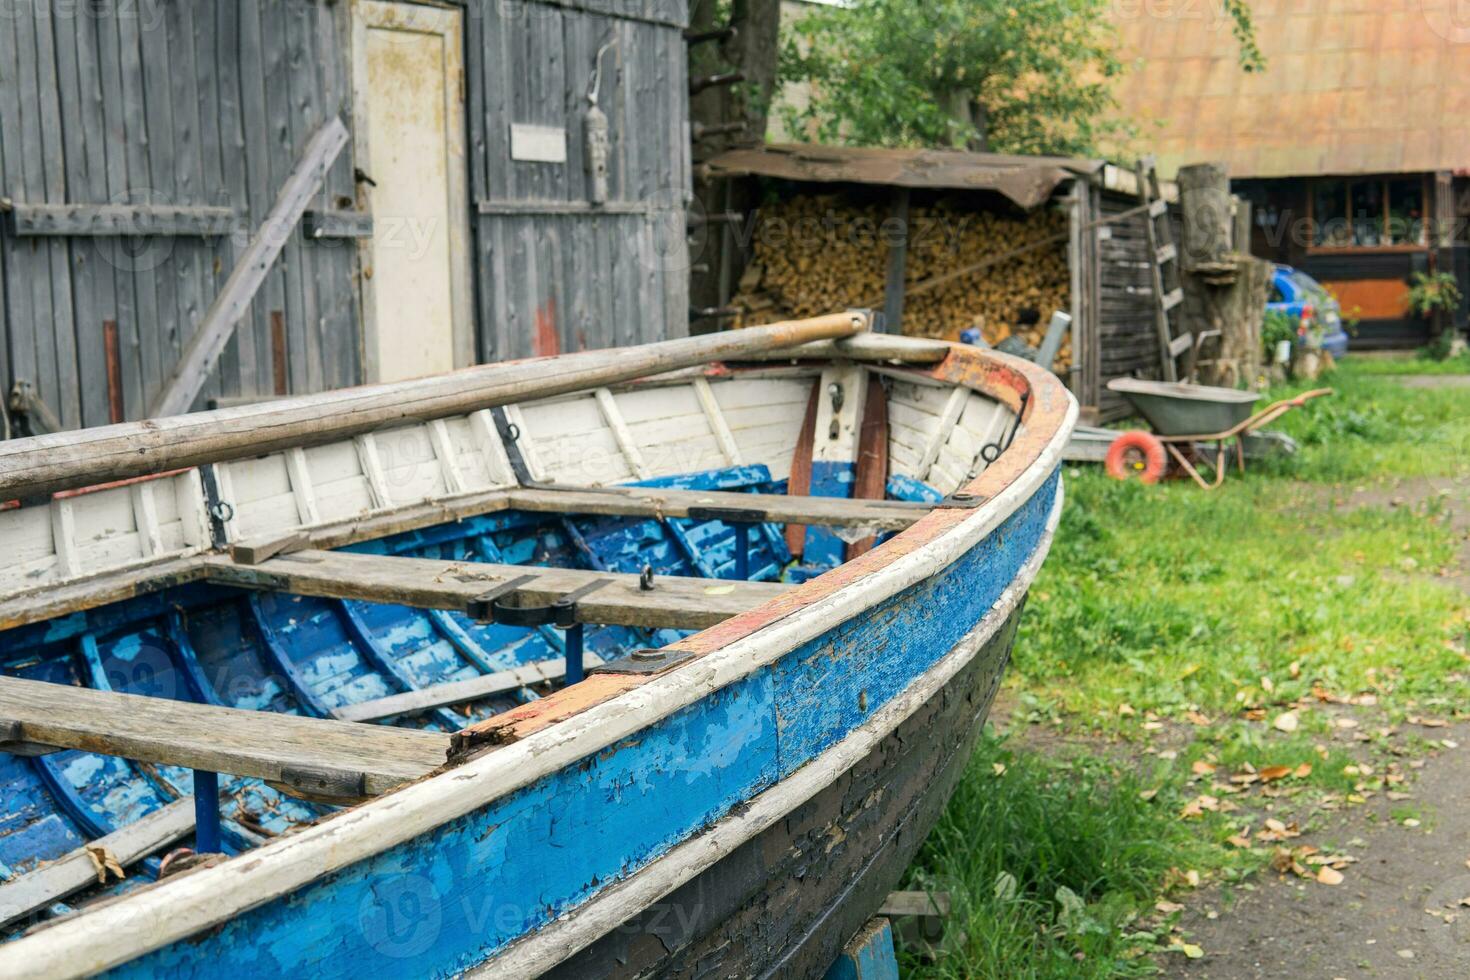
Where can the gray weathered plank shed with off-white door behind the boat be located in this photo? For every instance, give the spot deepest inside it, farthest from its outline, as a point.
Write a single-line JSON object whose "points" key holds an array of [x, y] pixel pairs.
{"points": [[152, 152]]}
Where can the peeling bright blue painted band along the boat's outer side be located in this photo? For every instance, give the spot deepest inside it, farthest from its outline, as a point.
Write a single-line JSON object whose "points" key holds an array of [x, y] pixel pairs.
{"points": [[448, 900]]}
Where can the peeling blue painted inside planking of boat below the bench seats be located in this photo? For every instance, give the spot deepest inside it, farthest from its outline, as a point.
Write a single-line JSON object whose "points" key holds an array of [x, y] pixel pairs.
{"points": [[305, 656]]}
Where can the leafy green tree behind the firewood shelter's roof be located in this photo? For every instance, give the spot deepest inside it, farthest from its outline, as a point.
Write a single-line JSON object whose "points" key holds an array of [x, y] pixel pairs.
{"points": [[1002, 76]]}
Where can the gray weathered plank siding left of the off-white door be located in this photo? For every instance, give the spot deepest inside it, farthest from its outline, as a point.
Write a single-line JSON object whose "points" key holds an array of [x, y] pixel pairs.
{"points": [[167, 104]]}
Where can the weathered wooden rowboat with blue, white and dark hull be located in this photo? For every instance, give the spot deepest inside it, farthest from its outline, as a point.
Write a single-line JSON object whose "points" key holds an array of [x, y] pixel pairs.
{"points": [[646, 662]]}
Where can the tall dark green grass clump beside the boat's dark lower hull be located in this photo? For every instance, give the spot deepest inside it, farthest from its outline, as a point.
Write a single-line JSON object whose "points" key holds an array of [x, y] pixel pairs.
{"points": [[1050, 866]]}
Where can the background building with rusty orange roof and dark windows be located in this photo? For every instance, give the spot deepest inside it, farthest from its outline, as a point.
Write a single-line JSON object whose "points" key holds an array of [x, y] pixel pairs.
{"points": [[1352, 146]]}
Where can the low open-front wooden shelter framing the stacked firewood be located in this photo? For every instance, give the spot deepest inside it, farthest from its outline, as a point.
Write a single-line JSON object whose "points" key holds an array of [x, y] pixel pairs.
{"points": [[1111, 295]]}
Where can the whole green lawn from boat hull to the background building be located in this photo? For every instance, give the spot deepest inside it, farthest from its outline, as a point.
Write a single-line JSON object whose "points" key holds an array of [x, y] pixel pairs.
{"points": [[1175, 627]]}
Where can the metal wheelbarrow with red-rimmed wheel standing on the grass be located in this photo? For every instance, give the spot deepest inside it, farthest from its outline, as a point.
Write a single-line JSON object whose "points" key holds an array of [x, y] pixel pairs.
{"points": [[1184, 417]]}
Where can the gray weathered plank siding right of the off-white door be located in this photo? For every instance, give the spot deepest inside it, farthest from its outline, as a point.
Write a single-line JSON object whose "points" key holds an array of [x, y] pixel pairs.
{"points": [[552, 273]]}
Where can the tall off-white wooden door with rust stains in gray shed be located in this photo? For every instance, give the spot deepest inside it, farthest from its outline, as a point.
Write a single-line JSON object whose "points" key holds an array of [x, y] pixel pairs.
{"points": [[408, 79]]}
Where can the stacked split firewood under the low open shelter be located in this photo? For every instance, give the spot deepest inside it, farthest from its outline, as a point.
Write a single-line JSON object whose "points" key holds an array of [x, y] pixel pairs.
{"points": [[822, 253]]}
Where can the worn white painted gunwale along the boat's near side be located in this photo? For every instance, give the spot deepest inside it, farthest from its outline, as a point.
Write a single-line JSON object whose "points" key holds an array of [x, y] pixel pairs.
{"points": [[154, 918]]}
